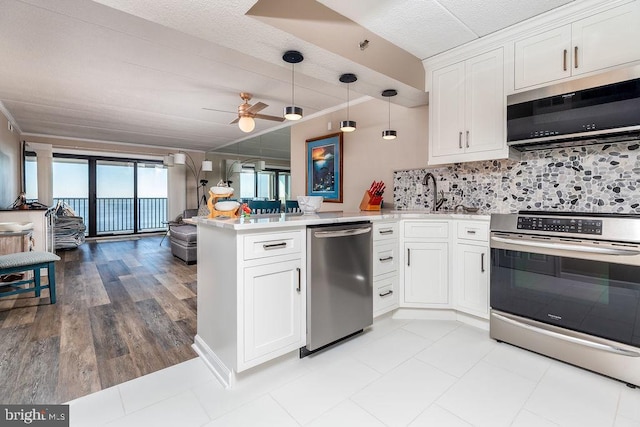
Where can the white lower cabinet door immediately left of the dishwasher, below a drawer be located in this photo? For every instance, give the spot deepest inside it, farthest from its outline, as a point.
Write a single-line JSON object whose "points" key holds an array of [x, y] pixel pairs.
{"points": [[273, 301]]}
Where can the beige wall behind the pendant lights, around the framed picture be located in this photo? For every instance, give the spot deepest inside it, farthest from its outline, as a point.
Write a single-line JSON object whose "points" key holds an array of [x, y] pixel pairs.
{"points": [[366, 156]]}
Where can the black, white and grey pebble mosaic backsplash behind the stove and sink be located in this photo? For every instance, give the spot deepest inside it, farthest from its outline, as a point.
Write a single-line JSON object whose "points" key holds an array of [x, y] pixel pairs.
{"points": [[593, 178]]}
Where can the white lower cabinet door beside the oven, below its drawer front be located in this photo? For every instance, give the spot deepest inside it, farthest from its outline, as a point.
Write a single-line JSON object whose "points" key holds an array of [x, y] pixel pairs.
{"points": [[471, 279]]}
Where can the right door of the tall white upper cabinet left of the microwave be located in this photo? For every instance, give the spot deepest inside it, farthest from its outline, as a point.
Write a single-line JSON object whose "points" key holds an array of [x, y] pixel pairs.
{"points": [[485, 113]]}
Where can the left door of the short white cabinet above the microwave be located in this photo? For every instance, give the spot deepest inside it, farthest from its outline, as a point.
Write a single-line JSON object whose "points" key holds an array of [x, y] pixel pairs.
{"points": [[543, 58]]}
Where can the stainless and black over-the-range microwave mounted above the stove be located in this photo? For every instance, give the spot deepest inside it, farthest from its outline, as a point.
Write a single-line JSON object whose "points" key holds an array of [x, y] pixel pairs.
{"points": [[591, 110]]}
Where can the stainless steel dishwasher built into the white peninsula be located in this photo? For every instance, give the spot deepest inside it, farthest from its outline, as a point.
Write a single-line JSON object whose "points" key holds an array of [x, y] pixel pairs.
{"points": [[339, 283]]}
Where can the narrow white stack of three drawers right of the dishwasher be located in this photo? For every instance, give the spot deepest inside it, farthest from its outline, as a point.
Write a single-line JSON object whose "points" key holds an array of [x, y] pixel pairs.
{"points": [[385, 267]]}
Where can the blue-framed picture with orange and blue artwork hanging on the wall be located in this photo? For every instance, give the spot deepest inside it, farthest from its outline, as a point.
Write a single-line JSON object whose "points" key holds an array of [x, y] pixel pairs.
{"points": [[324, 167]]}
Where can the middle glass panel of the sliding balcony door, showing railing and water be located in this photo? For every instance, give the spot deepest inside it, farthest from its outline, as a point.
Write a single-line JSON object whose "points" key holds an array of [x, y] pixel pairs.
{"points": [[115, 209]]}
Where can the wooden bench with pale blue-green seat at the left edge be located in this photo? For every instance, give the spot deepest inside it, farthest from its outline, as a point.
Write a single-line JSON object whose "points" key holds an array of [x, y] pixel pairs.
{"points": [[29, 261]]}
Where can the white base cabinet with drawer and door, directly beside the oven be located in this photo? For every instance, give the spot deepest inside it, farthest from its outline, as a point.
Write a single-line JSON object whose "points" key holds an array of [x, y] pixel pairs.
{"points": [[471, 268]]}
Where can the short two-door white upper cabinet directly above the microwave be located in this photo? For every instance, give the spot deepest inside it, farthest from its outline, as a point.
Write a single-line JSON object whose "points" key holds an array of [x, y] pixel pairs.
{"points": [[600, 41]]}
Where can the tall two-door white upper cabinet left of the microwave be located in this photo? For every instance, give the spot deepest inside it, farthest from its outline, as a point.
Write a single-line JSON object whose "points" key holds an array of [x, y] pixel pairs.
{"points": [[467, 110]]}
